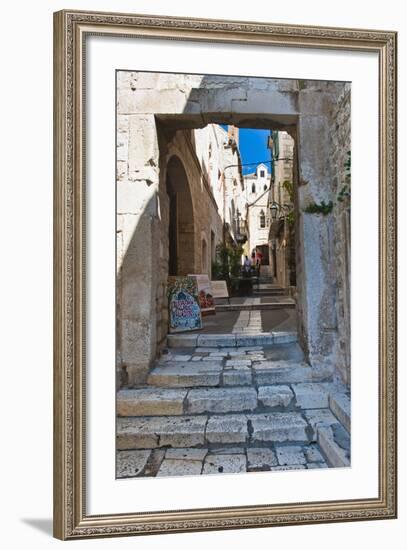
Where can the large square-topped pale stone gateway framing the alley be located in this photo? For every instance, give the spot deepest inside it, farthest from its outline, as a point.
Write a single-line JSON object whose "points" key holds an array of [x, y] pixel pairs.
{"points": [[152, 112]]}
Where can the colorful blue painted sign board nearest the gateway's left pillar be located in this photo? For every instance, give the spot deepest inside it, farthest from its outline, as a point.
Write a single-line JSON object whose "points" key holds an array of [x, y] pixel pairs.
{"points": [[183, 305]]}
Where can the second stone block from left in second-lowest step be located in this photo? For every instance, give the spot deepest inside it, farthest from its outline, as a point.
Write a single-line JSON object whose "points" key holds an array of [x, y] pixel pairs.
{"points": [[216, 400]]}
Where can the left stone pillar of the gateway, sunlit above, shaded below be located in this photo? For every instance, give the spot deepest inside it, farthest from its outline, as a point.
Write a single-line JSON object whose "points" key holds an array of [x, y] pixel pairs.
{"points": [[137, 251]]}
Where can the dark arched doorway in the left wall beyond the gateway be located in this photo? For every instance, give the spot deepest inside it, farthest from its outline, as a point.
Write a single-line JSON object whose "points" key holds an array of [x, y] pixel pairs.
{"points": [[181, 220]]}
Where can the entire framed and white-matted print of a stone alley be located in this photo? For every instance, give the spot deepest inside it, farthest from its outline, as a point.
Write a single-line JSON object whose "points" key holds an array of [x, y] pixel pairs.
{"points": [[225, 274]]}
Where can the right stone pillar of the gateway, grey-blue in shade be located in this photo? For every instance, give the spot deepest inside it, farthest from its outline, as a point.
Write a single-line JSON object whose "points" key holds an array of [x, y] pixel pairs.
{"points": [[316, 277]]}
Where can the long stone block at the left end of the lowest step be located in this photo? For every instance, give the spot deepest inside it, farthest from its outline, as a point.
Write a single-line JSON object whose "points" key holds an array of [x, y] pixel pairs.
{"points": [[160, 431]]}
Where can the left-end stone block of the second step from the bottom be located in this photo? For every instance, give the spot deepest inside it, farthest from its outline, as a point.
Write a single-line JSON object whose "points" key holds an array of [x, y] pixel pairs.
{"points": [[150, 401]]}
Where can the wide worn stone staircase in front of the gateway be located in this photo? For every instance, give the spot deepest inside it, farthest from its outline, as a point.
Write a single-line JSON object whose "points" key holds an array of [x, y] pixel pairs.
{"points": [[232, 403]]}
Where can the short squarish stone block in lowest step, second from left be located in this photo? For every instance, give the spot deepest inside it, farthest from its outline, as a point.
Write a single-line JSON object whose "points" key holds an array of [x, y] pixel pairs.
{"points": [[231, 428]]}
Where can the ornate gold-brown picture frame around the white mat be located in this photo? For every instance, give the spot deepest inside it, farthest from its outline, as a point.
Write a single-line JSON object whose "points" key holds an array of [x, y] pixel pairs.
{"points": [[70, 518]]}
